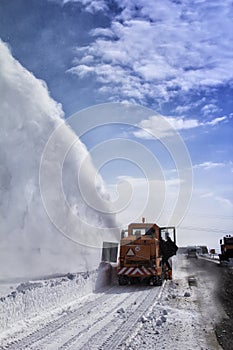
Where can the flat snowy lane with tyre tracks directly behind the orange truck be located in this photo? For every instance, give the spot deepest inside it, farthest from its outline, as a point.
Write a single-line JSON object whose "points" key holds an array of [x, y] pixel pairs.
{"points": [[99, 321]]}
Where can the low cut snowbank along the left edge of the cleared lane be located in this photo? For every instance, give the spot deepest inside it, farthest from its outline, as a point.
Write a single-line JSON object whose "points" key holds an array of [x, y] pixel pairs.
{"points": [[34, 298]]}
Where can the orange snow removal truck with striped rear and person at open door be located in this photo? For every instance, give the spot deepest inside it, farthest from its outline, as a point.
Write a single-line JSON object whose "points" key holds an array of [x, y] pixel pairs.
{"points": [[145, 254]]}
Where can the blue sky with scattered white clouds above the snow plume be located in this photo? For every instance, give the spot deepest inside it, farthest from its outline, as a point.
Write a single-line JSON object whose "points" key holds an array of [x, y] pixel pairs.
{"points": [[173, 57]]}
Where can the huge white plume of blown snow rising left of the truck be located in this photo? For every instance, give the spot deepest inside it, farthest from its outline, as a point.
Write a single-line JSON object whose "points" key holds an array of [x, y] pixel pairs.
{"points": [[44, 231]]}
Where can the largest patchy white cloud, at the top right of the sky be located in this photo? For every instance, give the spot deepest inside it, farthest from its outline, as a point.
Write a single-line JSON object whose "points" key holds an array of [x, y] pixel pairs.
{"points": [[170, 46]]}
